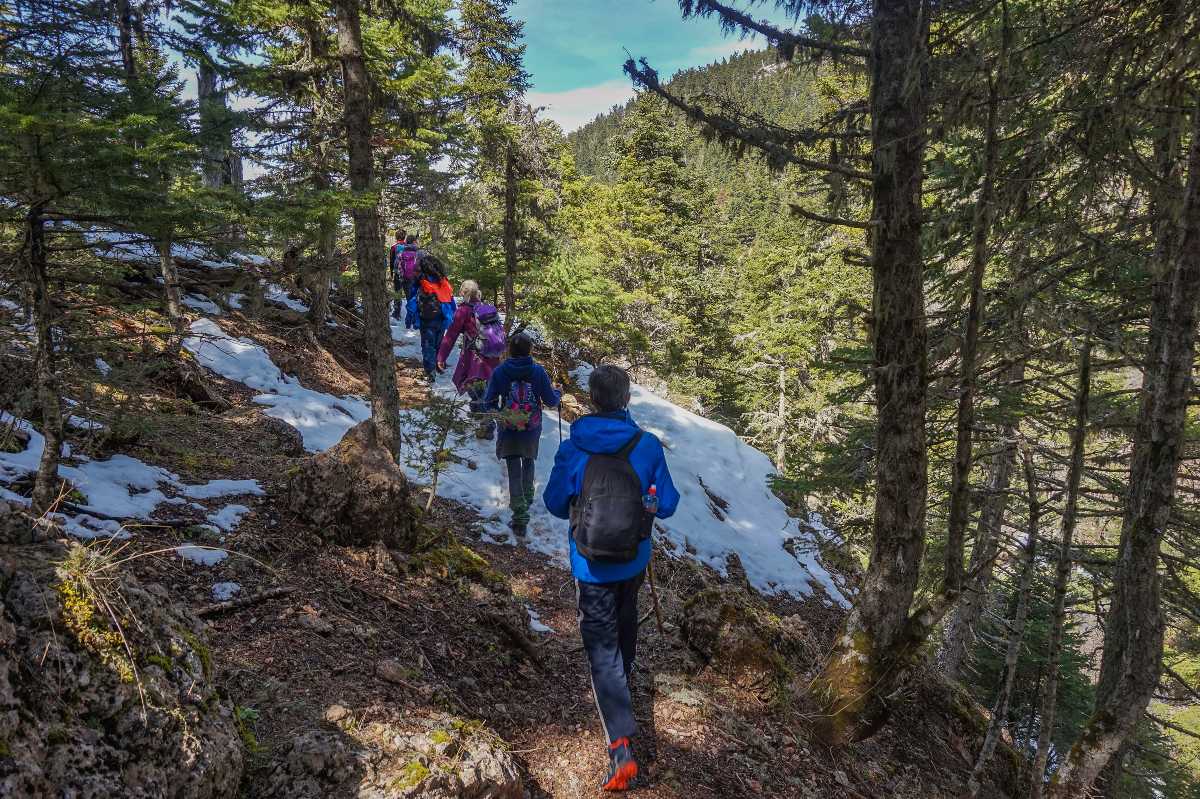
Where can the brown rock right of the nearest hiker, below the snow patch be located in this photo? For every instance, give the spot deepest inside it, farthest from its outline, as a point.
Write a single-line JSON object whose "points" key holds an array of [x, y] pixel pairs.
{"points": [[734, 633]]}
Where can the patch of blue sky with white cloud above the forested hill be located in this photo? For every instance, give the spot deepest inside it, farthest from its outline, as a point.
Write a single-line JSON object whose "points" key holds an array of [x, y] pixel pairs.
{"points": [[575, 50]]}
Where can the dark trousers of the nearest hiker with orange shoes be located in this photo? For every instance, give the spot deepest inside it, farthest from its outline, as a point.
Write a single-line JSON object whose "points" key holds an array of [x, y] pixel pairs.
{"points": [[609, 627]]}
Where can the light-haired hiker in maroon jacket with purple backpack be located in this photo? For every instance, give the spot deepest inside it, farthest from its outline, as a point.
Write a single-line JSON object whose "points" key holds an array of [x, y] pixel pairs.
{"points": [[483, 347]]}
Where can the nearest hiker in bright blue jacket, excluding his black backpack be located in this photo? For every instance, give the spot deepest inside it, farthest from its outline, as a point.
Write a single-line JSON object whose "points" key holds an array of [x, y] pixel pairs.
{"points": [[608, 592]]}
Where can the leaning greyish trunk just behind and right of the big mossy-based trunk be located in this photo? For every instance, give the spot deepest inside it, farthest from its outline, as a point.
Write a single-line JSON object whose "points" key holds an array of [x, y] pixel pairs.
{"points": [[961, 632]]}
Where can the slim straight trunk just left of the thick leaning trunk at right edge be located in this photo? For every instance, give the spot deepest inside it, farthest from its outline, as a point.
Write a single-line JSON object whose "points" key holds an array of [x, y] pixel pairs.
{"points": [[1049, 698]]}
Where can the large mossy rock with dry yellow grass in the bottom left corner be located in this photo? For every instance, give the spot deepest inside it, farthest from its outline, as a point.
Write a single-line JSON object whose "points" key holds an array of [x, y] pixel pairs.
{"points": [[93, 707]]}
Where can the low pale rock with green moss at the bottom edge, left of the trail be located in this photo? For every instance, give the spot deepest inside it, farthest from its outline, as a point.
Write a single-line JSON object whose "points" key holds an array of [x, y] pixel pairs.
{"points": [[449, 759]]}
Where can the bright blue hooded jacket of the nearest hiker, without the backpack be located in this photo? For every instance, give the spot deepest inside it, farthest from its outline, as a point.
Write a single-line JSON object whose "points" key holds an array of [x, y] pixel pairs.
{"points": [[608, 434]]}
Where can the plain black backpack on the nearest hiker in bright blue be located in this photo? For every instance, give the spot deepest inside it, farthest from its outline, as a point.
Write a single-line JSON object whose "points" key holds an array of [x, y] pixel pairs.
{"points": [[608, 519]]}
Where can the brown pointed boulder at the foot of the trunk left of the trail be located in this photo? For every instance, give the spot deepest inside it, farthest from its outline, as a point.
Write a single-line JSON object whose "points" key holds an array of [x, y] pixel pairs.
{"points": [[356, 495]]}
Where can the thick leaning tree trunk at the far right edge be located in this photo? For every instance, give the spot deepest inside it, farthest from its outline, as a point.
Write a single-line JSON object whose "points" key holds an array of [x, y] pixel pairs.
{"points": [[1133, 633]]}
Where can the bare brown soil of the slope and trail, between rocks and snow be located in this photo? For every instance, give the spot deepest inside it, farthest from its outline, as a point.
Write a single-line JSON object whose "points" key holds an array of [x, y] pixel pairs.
{"points": [[287, 660]]}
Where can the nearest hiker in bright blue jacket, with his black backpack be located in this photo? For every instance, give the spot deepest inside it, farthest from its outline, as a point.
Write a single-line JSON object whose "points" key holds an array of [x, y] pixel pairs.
{"points": [[611, 480]]}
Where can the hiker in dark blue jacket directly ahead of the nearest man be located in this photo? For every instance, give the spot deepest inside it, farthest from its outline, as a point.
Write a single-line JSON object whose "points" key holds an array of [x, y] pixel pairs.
{"points": [[520, 388]]}
